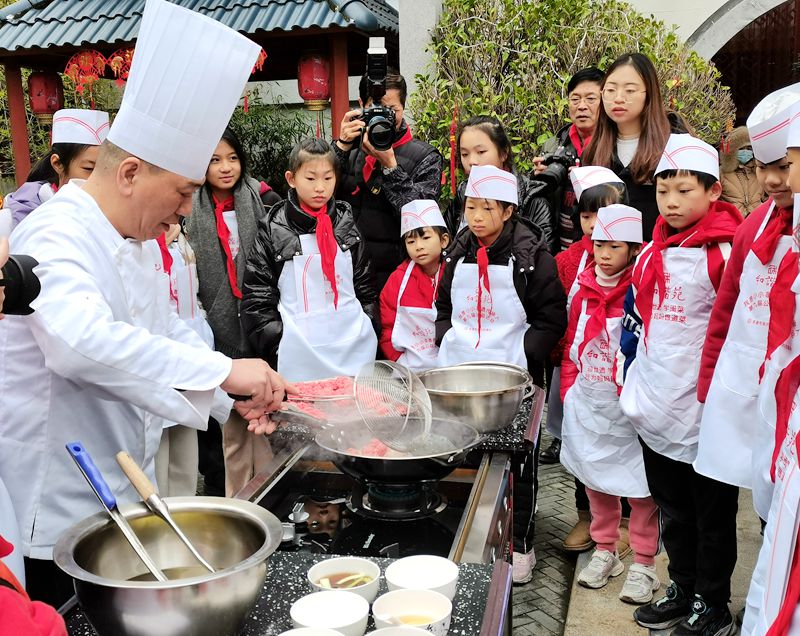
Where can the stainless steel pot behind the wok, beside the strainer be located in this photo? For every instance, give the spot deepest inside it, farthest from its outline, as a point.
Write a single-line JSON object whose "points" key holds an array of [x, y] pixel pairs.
{"points": [[486, 395]]}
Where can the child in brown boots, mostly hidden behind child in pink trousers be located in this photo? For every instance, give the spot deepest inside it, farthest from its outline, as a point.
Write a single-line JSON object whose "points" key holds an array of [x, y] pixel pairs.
{"points": [[594, 187]]}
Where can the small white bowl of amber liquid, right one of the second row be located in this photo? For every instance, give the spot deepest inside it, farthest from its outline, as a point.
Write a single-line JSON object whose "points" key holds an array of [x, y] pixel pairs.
{"points": [[405, 603]]}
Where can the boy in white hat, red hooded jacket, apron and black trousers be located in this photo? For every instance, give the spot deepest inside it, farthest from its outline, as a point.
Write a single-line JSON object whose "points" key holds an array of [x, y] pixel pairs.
{"points": [[666, 317]]}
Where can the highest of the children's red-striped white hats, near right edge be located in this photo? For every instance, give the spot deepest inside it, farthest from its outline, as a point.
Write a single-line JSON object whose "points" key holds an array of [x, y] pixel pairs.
{"points": [[768, 124]]}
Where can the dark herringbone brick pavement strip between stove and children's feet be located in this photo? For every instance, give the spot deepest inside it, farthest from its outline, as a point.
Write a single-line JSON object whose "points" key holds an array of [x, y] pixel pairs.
{"points": [[540, 606]]}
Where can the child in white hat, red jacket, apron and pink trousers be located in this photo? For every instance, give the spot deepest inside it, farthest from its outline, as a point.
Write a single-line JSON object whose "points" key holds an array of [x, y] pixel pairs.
{"points": [[600, 446]]}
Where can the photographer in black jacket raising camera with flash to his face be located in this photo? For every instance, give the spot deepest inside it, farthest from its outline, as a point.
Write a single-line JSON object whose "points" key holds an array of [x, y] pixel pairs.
{"points": [[383, 166]]}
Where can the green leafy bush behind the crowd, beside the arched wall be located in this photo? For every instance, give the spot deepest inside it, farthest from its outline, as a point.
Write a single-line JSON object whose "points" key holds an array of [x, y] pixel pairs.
{"points": [[513, 59]]}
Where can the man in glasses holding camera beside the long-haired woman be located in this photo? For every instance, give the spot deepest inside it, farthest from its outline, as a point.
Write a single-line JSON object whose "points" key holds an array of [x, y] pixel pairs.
{"points": [[564, 150]]}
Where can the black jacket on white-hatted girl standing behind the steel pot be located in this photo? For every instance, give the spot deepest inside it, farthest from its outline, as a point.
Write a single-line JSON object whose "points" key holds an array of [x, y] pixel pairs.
{"points": [[535, 279]]}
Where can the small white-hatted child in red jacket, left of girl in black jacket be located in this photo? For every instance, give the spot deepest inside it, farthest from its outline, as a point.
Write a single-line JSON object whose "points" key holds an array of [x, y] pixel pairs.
{"points": [[407, 301]]}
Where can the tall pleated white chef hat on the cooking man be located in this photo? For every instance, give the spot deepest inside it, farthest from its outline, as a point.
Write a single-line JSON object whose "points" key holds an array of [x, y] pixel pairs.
{"points": [[187, 75]]}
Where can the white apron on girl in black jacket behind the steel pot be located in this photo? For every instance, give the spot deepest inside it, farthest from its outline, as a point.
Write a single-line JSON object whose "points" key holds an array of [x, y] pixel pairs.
{"points": [[503, 324]]}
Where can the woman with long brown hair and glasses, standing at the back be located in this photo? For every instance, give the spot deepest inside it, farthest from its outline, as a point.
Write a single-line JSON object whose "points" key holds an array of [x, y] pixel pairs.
{"points": [[632, 131]]}
